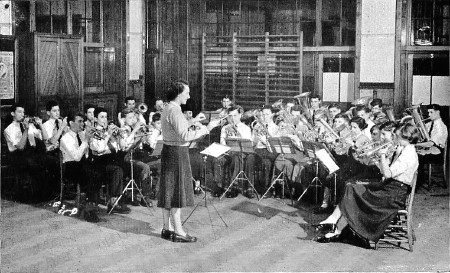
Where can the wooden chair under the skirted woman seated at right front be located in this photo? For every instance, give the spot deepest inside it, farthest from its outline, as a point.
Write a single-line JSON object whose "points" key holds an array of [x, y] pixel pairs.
{"points": [[401, 228]]}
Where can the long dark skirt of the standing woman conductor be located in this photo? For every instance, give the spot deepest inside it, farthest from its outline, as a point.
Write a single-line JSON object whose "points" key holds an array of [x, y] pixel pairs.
{"points": [[175, 189]]}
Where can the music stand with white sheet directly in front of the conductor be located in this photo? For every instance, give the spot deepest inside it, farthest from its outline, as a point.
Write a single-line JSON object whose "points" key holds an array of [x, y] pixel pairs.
{"points": [[214, 150]]}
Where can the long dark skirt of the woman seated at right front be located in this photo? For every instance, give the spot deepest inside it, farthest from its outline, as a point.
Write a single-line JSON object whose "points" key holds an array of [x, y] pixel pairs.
{"points": [[369, 209]]}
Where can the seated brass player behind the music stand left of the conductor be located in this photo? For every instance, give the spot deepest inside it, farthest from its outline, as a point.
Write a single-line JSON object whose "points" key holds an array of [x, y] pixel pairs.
{"points": [[132, 134]]}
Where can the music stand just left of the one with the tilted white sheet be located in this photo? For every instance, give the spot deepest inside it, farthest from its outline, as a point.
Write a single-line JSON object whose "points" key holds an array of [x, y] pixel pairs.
{"points": [[282, 146]]}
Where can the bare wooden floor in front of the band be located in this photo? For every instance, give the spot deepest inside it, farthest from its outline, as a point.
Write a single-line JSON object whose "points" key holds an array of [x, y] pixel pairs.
{"points": [[269, 235]]}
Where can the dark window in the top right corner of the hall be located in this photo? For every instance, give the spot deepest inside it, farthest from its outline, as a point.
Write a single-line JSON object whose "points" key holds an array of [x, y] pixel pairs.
{"points": [[430, 22]]}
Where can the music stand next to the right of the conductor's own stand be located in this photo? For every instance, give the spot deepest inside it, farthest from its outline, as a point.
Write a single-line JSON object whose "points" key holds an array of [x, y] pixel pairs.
{"points": [[241, 146]]}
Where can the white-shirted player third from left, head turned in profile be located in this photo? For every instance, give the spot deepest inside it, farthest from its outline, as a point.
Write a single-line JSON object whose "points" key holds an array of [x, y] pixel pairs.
{"points": [[74, 146]]}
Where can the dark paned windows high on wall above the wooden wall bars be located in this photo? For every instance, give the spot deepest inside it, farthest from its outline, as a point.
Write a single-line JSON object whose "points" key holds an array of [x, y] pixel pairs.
{"points": [[284, 17]]}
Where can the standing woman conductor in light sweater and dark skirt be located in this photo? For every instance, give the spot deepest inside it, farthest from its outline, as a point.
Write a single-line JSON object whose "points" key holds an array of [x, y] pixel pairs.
{"points": [[176, 189]]}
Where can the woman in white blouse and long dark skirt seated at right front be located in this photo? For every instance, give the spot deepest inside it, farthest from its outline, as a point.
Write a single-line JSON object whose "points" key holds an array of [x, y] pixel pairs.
{"points": [[367, 210]]}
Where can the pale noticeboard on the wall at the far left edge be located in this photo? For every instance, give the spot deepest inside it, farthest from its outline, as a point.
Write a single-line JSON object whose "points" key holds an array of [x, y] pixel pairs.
{"points": [[6, 75]]}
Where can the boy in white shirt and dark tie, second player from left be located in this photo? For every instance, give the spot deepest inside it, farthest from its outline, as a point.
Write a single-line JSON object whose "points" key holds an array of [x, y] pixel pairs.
{"points": [[53, 128]]}
